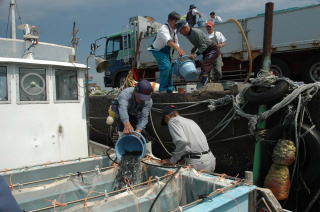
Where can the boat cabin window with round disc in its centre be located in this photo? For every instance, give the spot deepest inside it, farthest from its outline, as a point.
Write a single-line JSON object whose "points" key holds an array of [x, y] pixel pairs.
{"points": [[32, 84]]}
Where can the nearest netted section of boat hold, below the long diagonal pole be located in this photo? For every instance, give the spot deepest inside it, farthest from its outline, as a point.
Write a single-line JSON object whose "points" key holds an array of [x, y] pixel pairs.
{"points": [[185, 187]]}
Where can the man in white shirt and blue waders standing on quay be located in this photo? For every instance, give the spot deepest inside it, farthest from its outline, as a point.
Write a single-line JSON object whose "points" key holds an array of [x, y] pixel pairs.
{"points": [[161, 48]]}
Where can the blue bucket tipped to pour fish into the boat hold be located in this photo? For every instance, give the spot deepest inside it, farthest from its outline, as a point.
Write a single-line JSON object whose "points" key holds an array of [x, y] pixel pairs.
{"points": [[131, 143]]}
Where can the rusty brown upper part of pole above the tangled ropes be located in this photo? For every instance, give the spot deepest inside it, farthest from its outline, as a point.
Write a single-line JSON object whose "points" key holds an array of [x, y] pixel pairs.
{"points": [[267, 37]]}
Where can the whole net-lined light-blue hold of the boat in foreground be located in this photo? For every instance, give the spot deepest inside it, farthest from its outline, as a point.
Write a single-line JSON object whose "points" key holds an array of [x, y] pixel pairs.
{"points": [[96, 190]]}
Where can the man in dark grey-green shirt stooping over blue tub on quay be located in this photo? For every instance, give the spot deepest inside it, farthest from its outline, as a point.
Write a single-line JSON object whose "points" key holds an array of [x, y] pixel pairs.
{"points": [[202, 45]]}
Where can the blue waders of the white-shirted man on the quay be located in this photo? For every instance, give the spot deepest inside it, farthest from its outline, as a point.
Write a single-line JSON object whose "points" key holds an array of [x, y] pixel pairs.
{"points": [[163, 59]]}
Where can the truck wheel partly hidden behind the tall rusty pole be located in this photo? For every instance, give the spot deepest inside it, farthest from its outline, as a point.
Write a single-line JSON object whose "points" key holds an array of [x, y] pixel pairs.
{"points": [[278, 67]]}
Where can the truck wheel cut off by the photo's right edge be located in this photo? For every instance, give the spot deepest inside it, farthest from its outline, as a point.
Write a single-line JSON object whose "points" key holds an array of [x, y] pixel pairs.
{"points": [[312, 70]]}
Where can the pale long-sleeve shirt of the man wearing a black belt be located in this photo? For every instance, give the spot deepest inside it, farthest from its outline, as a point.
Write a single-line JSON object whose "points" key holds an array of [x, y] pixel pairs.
{"points": [[187, 137]]}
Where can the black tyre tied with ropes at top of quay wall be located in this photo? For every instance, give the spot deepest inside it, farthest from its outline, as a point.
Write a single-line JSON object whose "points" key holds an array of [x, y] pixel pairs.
{"points": [[264, 95]]}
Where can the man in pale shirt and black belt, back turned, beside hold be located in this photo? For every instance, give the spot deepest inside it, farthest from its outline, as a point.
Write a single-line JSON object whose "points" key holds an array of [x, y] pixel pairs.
{"points": [[191, 144]]}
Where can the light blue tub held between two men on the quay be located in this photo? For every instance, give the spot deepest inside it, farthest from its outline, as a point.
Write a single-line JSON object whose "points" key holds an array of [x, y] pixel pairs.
{"points": [[185, 67]]}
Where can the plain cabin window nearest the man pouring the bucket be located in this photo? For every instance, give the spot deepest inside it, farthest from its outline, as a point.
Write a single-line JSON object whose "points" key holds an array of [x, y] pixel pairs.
{"points": [[66, 85]]}
